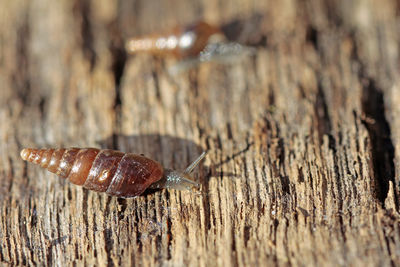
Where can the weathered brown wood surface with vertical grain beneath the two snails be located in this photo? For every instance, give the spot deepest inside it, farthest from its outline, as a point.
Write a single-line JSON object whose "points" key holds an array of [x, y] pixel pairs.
{"points": [[303, 138]]}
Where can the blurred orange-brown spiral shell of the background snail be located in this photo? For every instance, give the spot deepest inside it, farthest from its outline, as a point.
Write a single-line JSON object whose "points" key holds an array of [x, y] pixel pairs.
{"points": [[180, 42]]}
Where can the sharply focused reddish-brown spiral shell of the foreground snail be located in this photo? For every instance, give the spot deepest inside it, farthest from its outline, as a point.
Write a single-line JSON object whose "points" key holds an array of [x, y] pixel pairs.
{"points": [[114, 172]]}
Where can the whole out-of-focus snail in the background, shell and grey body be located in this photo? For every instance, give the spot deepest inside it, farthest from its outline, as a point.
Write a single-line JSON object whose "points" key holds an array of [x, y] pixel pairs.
{"points": [[196, 43]]}
